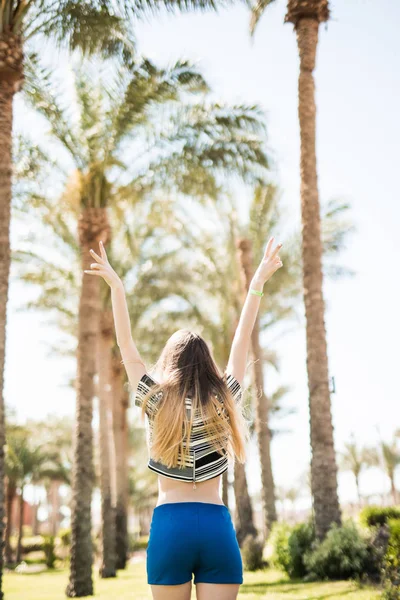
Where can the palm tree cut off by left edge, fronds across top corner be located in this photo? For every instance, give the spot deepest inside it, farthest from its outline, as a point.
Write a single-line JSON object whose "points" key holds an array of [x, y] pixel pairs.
{"points": [[90, 26]]}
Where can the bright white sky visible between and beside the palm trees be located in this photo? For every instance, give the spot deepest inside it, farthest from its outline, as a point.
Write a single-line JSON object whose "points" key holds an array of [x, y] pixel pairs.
{"points": [[358, 86]]}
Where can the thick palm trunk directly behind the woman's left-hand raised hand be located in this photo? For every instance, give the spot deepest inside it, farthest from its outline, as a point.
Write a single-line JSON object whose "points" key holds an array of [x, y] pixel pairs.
{"points": [[92, 227]]}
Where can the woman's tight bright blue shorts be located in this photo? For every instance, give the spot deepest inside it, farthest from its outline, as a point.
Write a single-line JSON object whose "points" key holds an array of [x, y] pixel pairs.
{"points": [[192, 537]]}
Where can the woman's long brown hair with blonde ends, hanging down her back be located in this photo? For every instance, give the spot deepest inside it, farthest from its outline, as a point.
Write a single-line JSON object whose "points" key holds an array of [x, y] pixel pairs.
{"points": [[190, 371]]}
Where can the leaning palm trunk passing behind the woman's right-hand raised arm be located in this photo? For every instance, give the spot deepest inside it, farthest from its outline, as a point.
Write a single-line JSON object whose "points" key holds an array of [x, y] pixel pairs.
{"points": [[261, 402]]}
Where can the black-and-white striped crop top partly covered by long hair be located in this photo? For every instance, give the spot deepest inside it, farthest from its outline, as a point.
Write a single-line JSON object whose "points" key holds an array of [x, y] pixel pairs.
{"points": [[205, 462]]}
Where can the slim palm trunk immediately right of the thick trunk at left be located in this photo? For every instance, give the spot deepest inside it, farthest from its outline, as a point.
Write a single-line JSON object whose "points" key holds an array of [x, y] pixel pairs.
{"points": [[107, 464]]}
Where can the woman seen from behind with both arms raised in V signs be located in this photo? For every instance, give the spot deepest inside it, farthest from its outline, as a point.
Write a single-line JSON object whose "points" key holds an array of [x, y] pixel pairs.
{"points": [[195, 423]]}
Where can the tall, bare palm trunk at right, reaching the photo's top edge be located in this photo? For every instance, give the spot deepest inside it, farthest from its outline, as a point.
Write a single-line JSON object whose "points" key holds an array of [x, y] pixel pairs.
{"points": [[306, 17]]}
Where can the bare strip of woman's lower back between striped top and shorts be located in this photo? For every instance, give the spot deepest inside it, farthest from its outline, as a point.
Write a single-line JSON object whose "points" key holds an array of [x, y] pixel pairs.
{"points": [[172, 490]]}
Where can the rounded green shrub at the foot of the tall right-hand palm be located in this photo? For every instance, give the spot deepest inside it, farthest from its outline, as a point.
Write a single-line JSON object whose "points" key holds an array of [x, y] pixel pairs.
{"points": [[341, 555]]}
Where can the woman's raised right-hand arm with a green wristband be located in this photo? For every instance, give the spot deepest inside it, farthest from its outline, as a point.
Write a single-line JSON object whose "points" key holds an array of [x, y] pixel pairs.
{"points": [[241, 341]]}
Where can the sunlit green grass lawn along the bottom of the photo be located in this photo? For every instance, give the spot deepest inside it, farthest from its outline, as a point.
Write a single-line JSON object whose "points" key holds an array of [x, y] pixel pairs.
{"points": [[132, 585]]}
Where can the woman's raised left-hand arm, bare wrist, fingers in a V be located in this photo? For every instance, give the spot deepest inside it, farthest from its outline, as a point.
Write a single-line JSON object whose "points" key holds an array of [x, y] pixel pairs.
{"points": [[131, 358]]}
